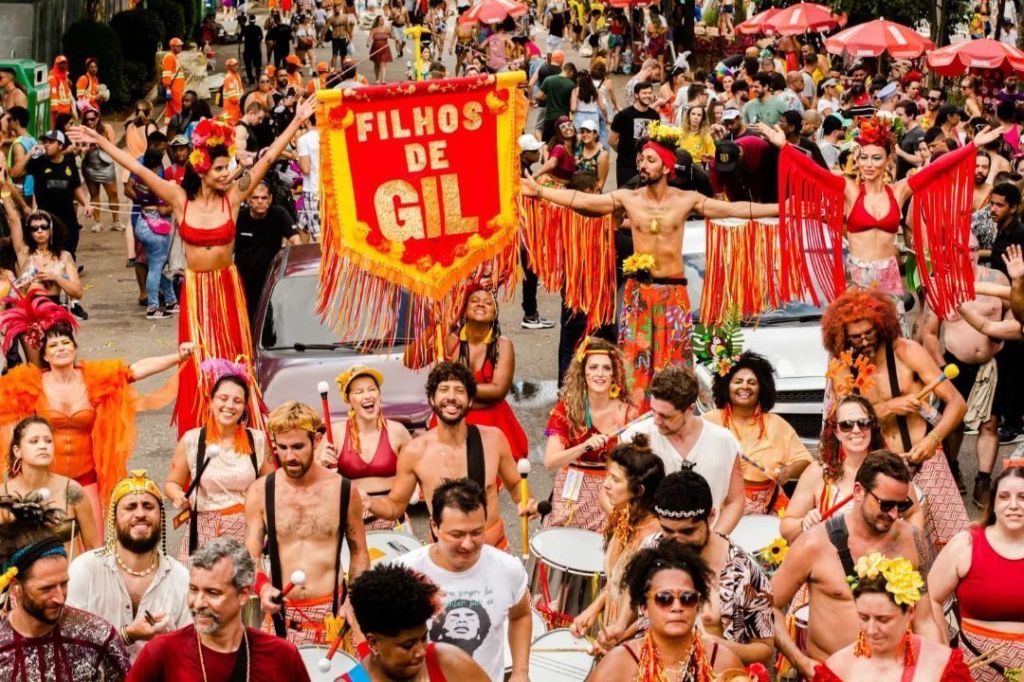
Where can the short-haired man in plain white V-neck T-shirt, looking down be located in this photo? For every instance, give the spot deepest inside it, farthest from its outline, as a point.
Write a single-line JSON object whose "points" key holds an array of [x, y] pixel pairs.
{"points": [[680, 438]]}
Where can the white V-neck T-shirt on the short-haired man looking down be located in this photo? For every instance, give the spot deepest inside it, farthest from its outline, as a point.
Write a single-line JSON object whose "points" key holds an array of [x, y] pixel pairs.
{"points": [[714, 455]]}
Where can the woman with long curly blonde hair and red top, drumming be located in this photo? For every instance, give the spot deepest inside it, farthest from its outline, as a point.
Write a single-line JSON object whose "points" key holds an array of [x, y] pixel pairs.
{"points": [[593, 405]]}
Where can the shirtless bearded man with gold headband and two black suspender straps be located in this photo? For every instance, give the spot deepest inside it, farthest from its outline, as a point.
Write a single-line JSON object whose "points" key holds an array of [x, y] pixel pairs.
{"points": [[303, 524]]}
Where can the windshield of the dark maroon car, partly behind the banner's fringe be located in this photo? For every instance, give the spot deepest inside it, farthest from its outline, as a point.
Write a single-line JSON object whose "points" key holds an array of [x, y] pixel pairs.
{"points": [[292, 321]]}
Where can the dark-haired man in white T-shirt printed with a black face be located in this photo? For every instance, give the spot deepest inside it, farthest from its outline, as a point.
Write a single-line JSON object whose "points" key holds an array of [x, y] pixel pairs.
{"points": [[485, 589]]}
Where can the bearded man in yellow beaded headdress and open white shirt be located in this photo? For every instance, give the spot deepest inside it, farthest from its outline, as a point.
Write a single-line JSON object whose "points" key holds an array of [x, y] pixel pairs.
{"points": [[133, 583]]}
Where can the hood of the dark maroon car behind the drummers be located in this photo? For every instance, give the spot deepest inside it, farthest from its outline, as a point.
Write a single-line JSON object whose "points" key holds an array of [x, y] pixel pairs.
{"points": [[293, 376]]}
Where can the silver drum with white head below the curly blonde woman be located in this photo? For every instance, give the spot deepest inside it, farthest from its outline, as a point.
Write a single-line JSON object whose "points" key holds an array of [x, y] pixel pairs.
{"points": [[568, 573]]}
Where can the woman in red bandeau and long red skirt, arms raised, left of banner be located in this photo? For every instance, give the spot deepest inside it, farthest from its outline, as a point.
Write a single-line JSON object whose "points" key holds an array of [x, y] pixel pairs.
{"points": [[206, 206]]}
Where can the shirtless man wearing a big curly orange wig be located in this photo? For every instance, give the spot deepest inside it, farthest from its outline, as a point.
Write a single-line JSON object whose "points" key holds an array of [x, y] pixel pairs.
{"points": [[866, 324]]}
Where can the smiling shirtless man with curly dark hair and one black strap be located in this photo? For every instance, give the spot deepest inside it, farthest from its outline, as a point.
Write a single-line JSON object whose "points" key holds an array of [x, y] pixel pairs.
{"points": [[449, 452]]}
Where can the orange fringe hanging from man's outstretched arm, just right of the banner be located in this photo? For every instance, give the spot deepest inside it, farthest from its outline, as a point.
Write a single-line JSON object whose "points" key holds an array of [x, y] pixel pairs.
{"points": [[575, 254]]}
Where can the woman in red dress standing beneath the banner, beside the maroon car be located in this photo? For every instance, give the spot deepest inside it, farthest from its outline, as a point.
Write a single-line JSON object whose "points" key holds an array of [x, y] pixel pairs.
{"points": [[481, 347]]}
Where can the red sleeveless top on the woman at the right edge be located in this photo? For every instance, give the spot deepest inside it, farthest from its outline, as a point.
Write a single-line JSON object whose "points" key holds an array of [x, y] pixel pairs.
{"points": [[977, 598]]}
